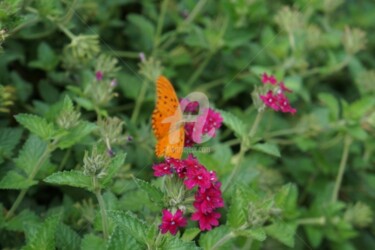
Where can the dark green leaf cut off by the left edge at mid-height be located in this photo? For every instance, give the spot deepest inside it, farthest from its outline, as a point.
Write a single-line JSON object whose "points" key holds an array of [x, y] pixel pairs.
{"points": [[9, 138]]}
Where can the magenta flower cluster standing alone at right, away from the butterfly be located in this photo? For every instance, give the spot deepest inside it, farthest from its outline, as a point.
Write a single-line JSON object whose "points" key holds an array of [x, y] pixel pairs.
{"points": [[276, 98]]}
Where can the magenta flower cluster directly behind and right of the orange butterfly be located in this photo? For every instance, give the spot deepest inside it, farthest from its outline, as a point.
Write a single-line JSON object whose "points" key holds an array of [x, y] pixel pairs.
{"points": [[207, 122]]}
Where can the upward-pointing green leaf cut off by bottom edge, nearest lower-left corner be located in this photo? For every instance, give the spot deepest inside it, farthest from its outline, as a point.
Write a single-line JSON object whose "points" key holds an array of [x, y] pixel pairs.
{"points": [[45, 236]]}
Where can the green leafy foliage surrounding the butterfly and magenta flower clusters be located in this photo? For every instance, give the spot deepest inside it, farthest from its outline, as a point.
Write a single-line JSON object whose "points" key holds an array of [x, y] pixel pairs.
{"points": [[307, 181]]}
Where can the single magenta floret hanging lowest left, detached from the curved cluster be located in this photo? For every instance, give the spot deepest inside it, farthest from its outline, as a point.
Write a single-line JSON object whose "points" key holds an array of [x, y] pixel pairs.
{"points": [[171, 222]]}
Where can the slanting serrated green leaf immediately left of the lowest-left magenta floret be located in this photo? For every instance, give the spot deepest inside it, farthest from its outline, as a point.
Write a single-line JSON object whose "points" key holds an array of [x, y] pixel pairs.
{"points": [[131, 224]]}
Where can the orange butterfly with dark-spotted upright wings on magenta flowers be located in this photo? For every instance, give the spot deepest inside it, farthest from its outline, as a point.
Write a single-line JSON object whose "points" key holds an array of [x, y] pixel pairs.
{"points": [[167, 121]]}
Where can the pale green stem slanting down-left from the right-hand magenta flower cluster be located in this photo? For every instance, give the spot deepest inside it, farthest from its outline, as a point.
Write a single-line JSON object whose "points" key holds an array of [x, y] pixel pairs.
{"points": [[244, 147]]}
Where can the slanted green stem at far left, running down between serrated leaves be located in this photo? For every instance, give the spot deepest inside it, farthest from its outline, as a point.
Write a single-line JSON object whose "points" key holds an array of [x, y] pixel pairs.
{"points": [[31, 176]]}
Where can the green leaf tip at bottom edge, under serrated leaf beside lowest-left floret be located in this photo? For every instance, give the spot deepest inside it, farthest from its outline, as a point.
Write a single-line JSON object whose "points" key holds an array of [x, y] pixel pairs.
{"points": [[120, 238]]}
